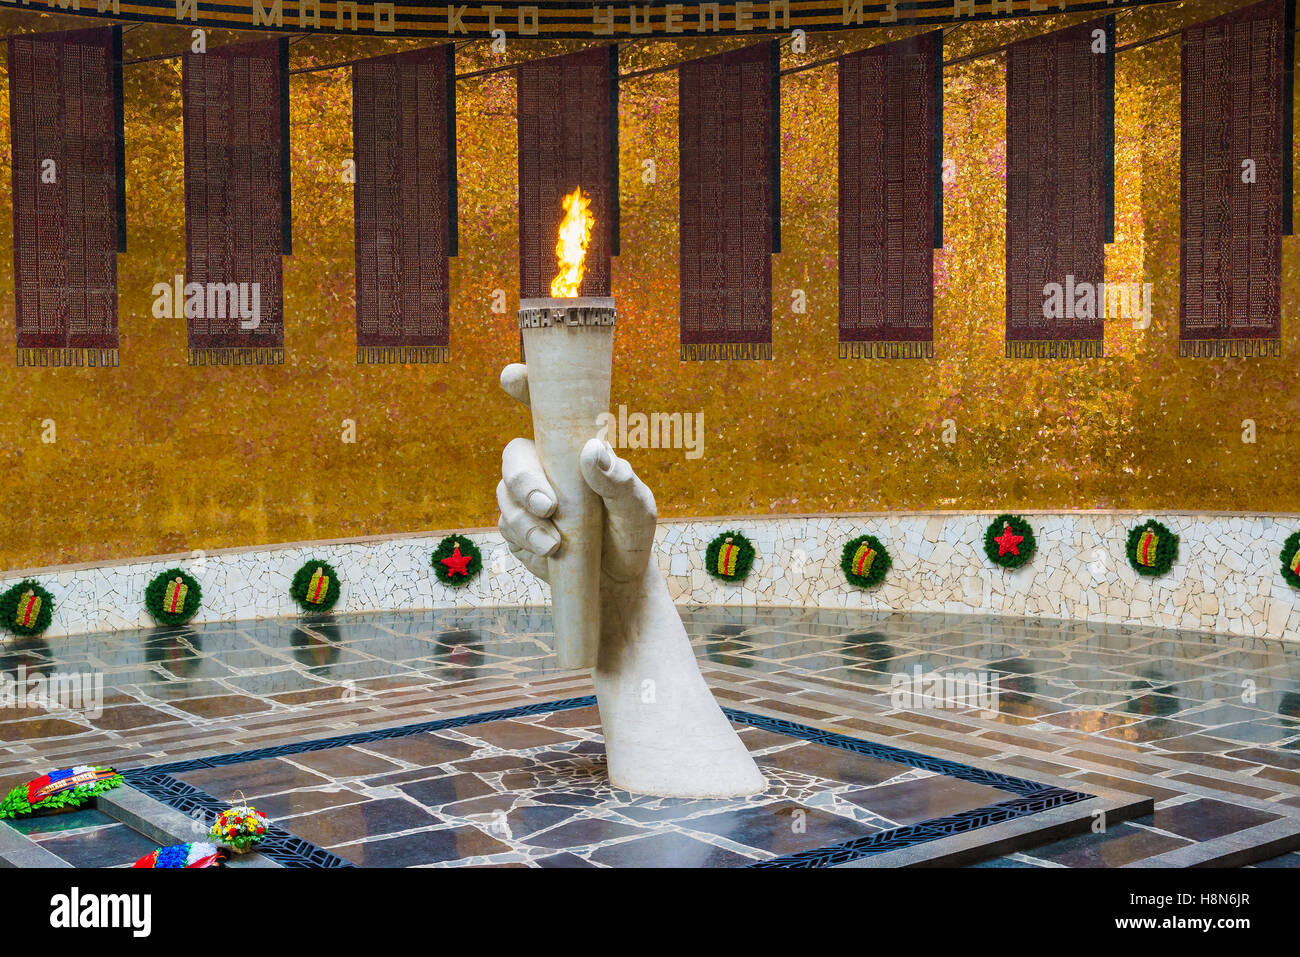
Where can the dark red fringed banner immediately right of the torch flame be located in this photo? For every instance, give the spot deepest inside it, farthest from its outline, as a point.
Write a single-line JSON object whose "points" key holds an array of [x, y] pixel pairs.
{"points": [[729, 128]]}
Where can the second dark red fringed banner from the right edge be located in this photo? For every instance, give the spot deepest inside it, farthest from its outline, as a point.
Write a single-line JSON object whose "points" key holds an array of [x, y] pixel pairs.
{"points": [[1059, 161]]}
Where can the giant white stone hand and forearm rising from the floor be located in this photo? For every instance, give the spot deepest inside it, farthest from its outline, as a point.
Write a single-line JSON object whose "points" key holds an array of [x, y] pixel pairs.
{"points": [[664, 731]]}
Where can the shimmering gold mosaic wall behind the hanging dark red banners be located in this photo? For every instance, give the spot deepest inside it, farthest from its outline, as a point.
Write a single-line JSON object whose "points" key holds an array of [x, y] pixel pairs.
{"points": [[159, 457]]}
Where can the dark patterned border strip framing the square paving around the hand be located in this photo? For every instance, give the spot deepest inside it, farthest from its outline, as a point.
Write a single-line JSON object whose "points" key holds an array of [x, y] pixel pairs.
{"points": [[161, 783]]}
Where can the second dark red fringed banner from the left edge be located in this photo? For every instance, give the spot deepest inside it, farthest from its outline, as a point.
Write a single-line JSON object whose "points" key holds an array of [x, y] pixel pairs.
{"points": [[236, 107]]}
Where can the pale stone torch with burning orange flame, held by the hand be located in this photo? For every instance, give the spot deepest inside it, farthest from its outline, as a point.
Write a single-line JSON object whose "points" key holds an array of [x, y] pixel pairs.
{"points": [[569, 347]]}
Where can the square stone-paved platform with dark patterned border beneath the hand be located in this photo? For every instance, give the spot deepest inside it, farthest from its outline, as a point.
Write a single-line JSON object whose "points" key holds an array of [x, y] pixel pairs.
{"points": [[532, 790]]}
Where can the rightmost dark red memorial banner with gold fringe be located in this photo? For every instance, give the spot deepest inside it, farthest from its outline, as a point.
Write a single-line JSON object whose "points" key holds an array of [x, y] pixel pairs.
{"points": [[1234, 102]]}
